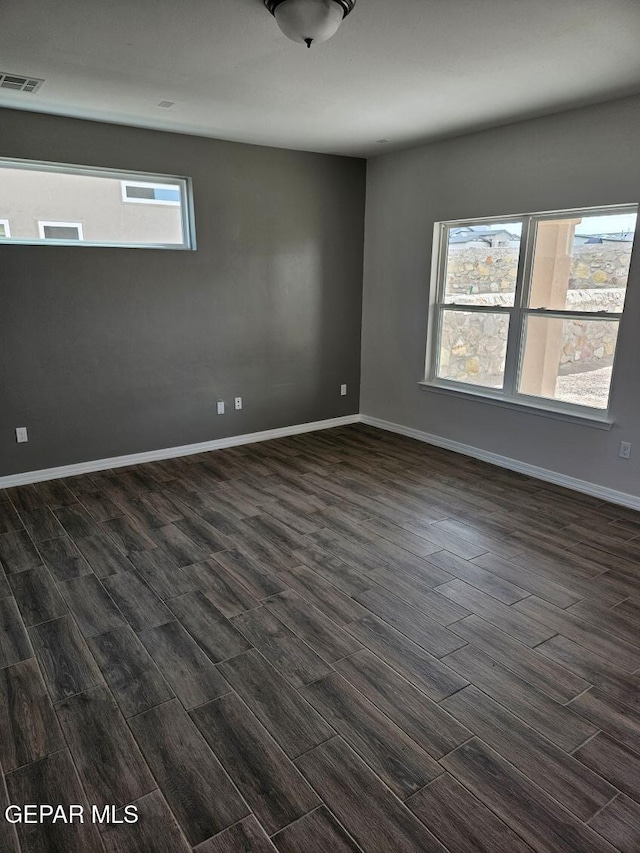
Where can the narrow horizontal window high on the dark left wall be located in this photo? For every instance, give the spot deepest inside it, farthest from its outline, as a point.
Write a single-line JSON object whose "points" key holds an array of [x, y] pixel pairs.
{"points": [[75, 205]]}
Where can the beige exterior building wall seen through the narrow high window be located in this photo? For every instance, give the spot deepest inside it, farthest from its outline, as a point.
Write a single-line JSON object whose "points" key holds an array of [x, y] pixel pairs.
{"points": [[30, 196]]}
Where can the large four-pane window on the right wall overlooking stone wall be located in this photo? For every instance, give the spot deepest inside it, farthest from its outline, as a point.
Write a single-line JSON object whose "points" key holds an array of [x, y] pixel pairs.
{"points": [[526, 308]]}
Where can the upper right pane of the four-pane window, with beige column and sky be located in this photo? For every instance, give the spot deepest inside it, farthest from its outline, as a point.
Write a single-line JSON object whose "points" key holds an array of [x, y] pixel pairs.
{"points": [[582, 263]]}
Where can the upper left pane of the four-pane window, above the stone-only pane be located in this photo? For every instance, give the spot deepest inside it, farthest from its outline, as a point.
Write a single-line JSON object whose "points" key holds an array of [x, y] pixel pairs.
{"points": [[482, 264]]}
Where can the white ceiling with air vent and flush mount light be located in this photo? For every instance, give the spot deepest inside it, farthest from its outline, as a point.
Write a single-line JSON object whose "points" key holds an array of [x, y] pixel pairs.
{"points": [[400, 70]]}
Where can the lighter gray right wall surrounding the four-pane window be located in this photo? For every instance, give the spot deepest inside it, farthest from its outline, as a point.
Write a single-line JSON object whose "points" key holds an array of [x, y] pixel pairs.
{"points": [[575, 159]]}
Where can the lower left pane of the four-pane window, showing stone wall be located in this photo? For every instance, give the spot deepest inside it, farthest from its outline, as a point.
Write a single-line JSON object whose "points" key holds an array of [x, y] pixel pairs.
{"points": [[473, 347]]}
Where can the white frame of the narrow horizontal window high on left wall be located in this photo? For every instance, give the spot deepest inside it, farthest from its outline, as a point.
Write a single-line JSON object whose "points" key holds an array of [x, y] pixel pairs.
{"points": [[186, 206]]}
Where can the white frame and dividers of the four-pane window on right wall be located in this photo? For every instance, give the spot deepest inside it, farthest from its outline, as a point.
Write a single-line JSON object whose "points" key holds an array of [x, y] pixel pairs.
{"points": [[509, 395]]}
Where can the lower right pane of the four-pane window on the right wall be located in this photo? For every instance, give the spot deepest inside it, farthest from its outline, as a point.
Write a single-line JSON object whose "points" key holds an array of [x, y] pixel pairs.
{"points": [[569, 359]]}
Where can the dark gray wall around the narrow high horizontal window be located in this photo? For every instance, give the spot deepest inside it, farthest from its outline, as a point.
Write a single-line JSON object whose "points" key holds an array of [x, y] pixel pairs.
{"points": [[114, 351]]}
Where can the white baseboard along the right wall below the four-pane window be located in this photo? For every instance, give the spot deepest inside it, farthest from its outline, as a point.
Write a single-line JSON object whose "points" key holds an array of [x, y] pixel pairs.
{"points": [[584, 486]]}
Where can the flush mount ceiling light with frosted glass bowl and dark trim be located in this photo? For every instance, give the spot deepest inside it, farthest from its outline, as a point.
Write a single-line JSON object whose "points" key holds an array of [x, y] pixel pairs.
{"points": [[309, 21]]}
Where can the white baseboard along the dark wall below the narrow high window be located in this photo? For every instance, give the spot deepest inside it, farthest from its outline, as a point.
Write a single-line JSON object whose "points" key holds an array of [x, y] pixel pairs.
{"points": [[170, 452]]}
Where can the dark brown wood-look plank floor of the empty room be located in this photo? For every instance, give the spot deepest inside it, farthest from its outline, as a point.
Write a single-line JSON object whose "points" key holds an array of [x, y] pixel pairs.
{"points": [[342, 641]]}
